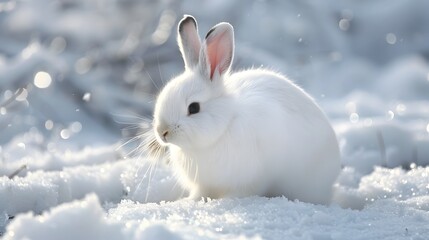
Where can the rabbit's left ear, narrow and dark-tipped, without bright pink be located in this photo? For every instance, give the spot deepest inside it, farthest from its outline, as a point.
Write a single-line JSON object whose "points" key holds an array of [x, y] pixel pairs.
{"points": [[189, 41]]}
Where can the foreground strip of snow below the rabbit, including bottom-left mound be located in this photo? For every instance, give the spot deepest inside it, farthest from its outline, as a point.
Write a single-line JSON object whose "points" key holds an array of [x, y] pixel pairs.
{"points": [[245, 218]]}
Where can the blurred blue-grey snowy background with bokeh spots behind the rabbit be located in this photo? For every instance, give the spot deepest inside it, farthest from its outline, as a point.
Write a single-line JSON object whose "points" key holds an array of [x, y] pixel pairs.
{"points": [[75, 73]]}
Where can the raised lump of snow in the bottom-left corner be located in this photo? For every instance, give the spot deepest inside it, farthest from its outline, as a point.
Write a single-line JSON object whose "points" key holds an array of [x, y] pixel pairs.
{"points": [[75, 220]]}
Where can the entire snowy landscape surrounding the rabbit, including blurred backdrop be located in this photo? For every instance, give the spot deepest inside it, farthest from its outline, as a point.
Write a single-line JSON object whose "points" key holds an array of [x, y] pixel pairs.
{"points": [[78, 78]]}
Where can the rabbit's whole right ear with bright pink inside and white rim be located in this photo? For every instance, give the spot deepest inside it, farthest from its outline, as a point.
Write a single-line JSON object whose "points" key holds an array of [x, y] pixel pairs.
{"points": [[219, 49]]}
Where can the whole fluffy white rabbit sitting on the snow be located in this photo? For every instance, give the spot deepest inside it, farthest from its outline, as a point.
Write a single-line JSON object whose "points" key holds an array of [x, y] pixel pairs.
{"points": [[252, 132]]}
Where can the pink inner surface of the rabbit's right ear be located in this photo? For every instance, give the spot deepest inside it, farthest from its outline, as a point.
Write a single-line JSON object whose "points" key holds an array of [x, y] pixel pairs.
{"points": [[219, 51]]}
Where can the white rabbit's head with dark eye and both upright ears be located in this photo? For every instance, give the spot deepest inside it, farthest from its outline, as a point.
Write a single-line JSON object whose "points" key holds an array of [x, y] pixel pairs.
{"points": [[192, 110]]}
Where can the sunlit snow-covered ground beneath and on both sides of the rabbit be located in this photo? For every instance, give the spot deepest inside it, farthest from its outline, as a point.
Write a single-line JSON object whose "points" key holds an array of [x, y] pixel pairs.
{"points": [[123, 204]]}
